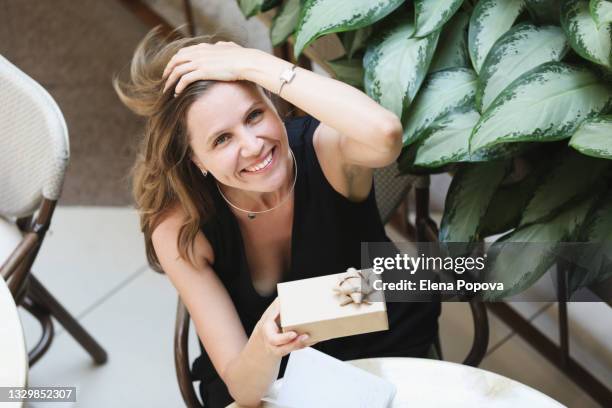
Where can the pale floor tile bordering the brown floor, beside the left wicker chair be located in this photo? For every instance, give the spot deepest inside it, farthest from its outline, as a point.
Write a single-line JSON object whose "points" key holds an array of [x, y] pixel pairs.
{"points": [[88, 253]]}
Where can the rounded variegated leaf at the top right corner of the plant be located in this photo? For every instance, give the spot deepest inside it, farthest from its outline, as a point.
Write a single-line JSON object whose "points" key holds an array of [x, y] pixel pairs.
{"points": [[588, 41]]}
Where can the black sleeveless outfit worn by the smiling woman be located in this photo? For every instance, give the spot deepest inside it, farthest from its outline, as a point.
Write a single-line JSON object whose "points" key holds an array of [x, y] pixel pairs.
{"points": [[326, 238]]}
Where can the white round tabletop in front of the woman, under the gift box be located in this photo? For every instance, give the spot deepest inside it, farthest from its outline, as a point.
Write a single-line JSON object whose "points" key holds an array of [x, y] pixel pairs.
{"points": [[433, 383]]}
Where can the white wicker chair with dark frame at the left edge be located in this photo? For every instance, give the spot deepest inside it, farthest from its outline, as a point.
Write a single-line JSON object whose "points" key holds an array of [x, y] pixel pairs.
{"points": [[34, 153]]}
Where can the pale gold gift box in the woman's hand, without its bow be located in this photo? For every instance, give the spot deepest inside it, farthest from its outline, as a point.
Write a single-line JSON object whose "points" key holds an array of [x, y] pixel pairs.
{"points": [[313, 306]]}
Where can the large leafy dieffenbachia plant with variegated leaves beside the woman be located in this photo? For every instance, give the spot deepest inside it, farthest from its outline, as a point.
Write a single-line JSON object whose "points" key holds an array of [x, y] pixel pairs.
{"points": [[513, 96]]}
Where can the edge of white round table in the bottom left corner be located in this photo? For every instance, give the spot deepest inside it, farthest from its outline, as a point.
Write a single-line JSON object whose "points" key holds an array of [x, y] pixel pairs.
{"points": [[13, 352]]}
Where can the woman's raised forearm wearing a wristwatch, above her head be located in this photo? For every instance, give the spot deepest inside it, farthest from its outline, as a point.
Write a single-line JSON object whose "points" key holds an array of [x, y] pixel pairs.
{"points": [[341, 106]]}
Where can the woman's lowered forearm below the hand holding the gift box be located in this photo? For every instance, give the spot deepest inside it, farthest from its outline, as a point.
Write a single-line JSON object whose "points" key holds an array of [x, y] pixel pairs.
{"points": [[249, 376]]}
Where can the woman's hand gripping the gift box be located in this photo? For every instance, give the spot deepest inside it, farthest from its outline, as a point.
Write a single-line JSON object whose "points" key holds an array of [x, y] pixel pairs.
{"points": [[276, 342]]}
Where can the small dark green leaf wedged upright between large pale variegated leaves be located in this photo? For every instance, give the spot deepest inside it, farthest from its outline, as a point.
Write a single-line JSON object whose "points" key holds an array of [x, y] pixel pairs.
{"points": [[452, 47]]}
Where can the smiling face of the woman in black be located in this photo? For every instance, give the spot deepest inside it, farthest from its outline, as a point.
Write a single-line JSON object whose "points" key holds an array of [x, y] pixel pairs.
{"points": [[237, 136]]}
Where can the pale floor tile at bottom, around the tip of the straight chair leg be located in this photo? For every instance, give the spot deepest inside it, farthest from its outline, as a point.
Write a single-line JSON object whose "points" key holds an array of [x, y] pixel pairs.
{"points": [[135, 326]]}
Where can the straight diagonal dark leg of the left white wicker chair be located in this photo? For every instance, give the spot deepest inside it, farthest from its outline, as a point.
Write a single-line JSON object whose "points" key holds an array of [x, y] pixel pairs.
{"points": [[42, 296]]}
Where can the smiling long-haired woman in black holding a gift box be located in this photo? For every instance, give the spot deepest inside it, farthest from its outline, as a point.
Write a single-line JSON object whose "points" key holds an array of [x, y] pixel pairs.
{"points": [[216, 153]]}
